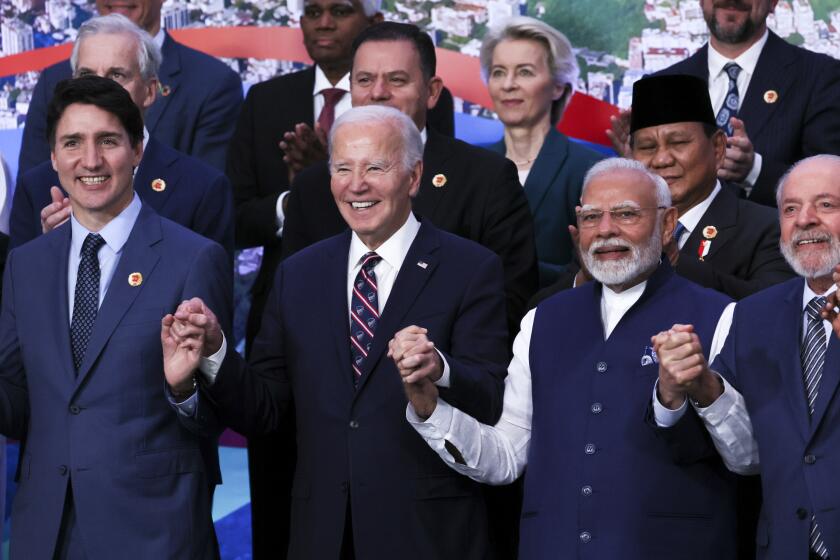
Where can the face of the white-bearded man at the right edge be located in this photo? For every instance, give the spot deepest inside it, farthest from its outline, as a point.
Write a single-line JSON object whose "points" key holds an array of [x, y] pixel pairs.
{"points": [[809, 215]]}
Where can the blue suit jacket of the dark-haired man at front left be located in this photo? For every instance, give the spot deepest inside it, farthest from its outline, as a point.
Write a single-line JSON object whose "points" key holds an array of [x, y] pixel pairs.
{"points": [[141, 477]]}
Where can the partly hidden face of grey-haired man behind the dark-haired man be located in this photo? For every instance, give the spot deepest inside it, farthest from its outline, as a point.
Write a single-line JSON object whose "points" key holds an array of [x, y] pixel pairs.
{"points": [[114, 56]]}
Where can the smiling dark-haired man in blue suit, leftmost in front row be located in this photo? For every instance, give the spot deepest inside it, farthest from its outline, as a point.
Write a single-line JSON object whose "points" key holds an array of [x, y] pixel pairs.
{"points": [[112, 462]]}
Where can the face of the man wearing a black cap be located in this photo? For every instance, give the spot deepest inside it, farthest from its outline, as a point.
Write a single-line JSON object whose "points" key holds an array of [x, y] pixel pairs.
{"points": [[684, 156]]}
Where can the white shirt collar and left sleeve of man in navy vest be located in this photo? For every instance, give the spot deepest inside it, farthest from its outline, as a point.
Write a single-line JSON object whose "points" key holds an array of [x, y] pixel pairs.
{"points": [[498, 454]]}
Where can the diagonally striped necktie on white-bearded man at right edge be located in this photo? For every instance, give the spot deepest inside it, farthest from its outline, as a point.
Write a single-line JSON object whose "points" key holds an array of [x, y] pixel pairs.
{"points": [[813, 359]]}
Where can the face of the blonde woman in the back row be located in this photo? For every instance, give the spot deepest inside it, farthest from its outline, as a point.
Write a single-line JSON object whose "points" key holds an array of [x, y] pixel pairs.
{"points": [[520, 83]]}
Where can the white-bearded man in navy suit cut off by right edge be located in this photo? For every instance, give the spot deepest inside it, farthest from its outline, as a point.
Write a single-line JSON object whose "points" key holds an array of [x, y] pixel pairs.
{"points": [[785, 364]]}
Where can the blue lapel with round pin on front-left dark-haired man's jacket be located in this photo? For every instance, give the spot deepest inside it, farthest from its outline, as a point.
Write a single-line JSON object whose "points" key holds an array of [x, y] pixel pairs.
{"points": [[138, 255]]}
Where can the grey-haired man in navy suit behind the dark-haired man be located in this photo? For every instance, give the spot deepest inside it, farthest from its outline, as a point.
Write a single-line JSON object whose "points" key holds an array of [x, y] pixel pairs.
{"points": [[176, 186]]}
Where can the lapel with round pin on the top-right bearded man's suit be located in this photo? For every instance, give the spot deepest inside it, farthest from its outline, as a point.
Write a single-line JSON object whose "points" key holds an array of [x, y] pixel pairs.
{"points": [[770, 74]]}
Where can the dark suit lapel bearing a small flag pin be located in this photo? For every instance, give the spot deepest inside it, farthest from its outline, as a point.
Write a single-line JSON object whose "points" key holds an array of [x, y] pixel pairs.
{"points": [[408, 285]]}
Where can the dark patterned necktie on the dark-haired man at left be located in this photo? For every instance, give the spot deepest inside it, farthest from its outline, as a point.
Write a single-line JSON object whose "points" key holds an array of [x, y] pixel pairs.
{"points": [[86, 300]]}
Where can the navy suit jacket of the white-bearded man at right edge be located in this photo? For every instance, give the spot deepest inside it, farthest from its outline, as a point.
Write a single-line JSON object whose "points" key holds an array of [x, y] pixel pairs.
{"points": [[800, 454]]}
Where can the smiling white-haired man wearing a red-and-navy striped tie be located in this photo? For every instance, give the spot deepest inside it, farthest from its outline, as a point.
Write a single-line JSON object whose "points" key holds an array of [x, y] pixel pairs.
{"points": [[346, 316]]}
